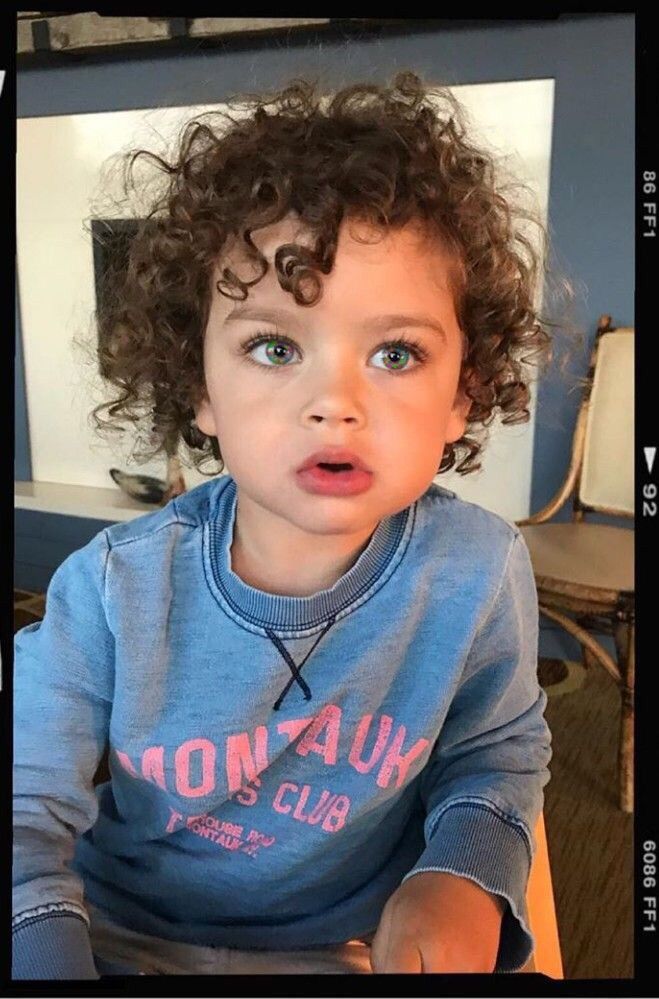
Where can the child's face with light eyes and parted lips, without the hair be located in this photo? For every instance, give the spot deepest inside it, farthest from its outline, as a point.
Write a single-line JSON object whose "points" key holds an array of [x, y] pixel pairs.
{"points": [[336, 384]]}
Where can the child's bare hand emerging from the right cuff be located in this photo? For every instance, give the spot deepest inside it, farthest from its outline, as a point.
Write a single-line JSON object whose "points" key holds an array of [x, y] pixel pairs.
{"points": [[438, 922]]}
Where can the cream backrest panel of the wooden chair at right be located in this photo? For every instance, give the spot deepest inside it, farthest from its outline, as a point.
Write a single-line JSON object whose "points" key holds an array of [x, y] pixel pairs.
{"points": [[606, 482]]}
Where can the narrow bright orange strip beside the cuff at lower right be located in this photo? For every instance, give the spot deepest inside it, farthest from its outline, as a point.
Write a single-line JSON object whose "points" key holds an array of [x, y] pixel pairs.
{"points": [[541, 909]]}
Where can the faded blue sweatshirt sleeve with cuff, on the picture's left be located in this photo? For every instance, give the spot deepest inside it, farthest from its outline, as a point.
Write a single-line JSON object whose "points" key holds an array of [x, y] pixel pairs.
{"points": [[63, 683]]}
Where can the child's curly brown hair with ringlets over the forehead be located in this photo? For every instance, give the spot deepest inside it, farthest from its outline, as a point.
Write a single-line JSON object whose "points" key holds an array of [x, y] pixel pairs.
{"points": [[387, 155]]}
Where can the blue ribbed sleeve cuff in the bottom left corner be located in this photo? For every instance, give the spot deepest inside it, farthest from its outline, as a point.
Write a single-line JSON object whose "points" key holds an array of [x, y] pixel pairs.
{"points": [[52, 946]]}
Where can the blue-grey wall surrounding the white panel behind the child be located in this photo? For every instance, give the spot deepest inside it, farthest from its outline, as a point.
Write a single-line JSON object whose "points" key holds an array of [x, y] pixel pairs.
{"points": [[591, 192]]}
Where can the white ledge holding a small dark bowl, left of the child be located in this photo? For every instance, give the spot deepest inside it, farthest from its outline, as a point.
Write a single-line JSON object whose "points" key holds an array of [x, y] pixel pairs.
{"points": [[78, 501]]}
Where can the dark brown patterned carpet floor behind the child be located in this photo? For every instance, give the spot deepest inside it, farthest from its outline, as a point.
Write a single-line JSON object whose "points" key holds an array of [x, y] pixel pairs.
{"points": [[589, 838]]}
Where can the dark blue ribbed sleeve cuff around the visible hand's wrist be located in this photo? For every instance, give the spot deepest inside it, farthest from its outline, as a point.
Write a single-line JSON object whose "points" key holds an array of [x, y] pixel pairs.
{"points": [[473, 841]]}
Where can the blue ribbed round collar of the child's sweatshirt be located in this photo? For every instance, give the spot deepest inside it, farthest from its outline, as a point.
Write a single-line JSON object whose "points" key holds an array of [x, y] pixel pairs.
{"points": [[295, 616]]}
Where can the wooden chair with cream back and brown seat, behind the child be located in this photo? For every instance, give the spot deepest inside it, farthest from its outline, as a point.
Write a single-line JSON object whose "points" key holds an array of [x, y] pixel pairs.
{"points": [[585, 569]]}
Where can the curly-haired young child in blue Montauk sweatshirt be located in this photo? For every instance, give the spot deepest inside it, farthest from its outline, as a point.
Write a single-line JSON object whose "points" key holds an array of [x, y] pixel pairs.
{"points": [[316, 675]]}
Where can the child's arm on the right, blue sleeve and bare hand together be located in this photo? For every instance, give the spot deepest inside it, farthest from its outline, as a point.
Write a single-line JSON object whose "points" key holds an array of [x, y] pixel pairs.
{"points": [[483, 792]]}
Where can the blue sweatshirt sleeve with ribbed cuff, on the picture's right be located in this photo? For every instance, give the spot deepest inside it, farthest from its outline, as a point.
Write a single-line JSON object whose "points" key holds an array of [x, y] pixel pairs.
{"points": [[483, 786]]}
